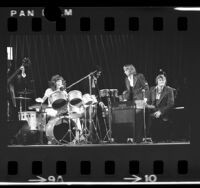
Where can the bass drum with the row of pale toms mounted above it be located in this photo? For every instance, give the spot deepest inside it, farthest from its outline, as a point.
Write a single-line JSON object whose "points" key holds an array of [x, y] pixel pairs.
{"points": [[66, 126]]}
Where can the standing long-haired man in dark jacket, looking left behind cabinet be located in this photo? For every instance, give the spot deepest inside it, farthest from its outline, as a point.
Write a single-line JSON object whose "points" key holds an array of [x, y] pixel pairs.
{"points": [[136, 90]]}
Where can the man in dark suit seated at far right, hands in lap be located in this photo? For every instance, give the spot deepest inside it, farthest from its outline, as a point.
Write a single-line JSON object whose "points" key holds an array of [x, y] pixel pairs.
{"points": [[160, 101]]}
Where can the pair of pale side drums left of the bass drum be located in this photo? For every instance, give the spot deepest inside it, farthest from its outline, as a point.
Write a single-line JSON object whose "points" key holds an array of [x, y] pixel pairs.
{"points": [[36, 120]]}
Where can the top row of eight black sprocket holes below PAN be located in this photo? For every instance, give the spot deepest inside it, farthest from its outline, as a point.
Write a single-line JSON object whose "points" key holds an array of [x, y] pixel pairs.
{"points": [[86, 25]]}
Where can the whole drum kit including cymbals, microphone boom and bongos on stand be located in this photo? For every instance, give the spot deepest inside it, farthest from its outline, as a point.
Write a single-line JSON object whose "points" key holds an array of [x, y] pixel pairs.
{"points": [[70, 118]]}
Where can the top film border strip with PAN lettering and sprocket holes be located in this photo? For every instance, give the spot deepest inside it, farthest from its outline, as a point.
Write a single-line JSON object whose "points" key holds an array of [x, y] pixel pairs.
{"points": [[105, 20]]}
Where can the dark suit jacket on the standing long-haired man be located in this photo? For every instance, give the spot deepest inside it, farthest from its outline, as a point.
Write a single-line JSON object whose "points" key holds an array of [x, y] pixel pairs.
{"points": [[139, 84]]}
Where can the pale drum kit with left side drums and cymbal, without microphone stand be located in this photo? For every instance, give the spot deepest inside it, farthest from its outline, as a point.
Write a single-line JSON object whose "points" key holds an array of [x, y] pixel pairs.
{"points": [[62, 122]]}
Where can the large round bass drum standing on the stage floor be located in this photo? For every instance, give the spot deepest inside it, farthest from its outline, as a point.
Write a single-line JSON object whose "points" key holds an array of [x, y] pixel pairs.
{"points": [[56, 130]]}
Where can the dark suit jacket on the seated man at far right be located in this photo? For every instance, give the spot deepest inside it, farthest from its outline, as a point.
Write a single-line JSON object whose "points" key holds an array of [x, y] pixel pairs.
{"points": [[165, 102]]}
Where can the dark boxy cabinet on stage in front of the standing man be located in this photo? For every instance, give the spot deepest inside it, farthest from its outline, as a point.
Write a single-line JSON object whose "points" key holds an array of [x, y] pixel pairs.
{"points": [[123, 122]]}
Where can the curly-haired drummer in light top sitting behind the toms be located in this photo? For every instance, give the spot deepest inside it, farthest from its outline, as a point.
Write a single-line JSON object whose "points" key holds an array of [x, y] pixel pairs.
{"points": [[57, 83]]}
